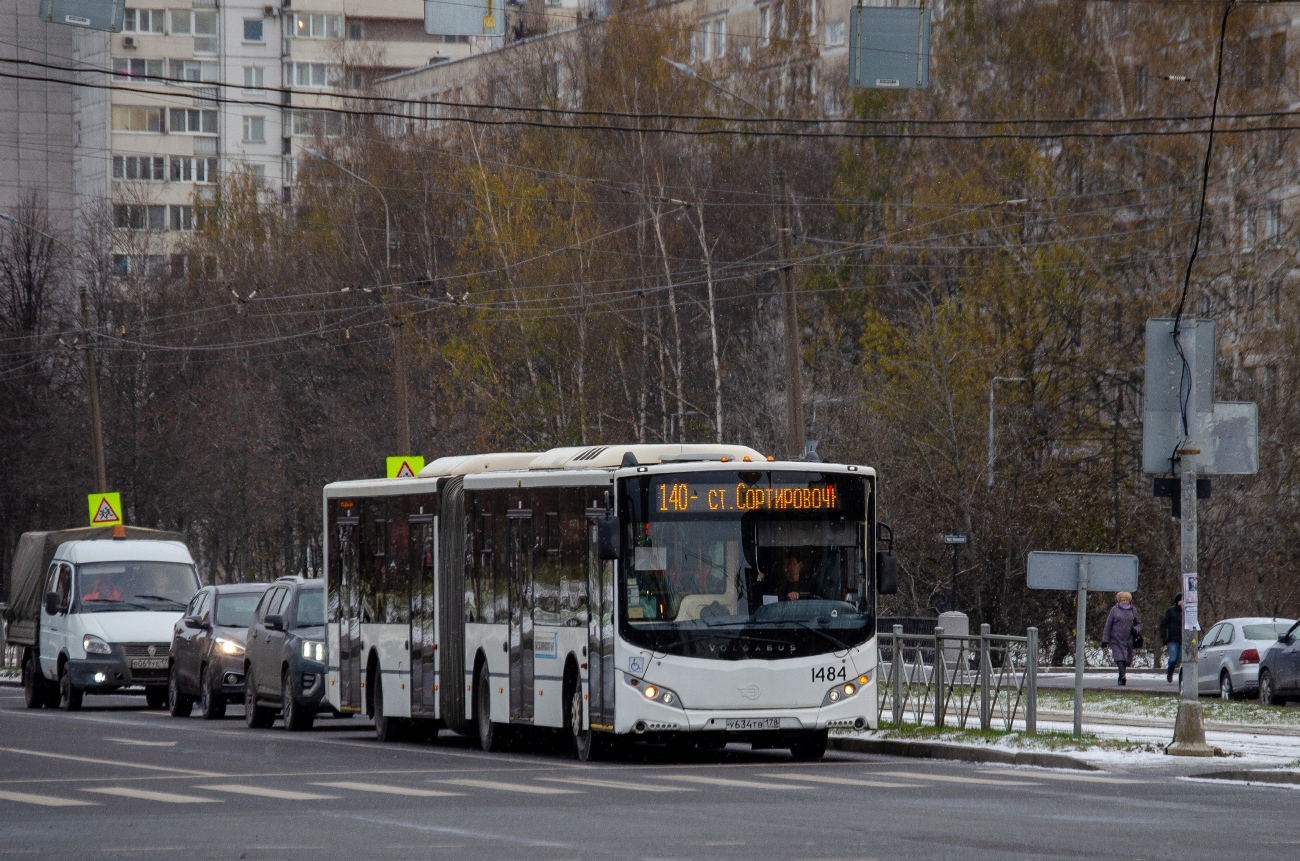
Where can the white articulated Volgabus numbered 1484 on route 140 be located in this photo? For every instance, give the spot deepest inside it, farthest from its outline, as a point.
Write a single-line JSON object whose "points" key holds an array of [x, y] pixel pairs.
{"points": [[684, 595]]}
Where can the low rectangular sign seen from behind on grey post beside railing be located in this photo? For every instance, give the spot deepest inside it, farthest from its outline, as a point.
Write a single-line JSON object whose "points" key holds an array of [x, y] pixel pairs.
{"points": [[1082, 572]]}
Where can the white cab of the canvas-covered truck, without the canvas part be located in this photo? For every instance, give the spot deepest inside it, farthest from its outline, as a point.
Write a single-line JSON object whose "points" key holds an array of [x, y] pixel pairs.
{"points": [[107, 617]]}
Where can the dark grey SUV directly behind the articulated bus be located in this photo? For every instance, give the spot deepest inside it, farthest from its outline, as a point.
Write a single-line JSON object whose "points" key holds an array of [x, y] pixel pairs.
{"points": [[285, 659]]}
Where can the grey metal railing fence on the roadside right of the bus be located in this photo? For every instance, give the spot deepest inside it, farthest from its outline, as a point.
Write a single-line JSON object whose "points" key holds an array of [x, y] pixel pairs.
{"points": [[947, 680]]}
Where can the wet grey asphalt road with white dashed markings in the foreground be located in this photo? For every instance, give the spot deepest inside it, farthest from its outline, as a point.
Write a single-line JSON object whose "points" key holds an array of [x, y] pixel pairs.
{"points": [[119, 782]]}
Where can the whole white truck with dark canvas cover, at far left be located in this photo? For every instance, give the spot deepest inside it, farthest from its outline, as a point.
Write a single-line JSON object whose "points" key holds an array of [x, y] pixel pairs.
{"points": [[94, 609]]}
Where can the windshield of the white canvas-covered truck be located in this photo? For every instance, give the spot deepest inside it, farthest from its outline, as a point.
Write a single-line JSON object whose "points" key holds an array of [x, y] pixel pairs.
{"points": [[136, 586]]}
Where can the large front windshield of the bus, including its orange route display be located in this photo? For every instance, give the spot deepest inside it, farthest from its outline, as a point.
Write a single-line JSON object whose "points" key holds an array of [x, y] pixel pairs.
{"points": [[746, 565]]}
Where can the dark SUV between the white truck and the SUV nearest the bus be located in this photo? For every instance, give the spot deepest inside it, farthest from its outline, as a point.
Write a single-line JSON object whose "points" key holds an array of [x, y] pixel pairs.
{"points": [[206, 660]]}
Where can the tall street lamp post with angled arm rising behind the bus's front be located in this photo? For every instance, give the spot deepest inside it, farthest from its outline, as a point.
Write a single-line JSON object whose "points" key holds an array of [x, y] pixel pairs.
{"points": [[795, 426]]}
